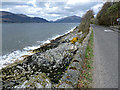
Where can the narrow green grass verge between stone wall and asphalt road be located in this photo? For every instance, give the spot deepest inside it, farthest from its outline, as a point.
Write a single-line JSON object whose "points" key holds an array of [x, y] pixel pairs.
{"points": [[85, 79]]}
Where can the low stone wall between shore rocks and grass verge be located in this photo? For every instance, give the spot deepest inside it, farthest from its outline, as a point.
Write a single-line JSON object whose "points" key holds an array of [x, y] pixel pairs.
{"points": [[71, 76]]}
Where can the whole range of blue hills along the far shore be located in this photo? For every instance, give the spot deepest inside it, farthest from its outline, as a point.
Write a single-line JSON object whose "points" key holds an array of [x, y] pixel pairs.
{"points": [[8, 17]]}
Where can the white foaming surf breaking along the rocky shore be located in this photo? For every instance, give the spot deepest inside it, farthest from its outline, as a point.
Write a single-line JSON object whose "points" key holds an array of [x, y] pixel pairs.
{"points": [[18, 55]]}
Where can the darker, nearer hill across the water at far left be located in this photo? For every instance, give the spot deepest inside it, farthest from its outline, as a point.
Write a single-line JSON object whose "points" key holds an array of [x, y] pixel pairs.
{"points": [[8, 17]]}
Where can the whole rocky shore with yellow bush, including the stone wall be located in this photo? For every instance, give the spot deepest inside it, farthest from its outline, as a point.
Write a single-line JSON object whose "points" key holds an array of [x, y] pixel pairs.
{"points": [[54, 65]]}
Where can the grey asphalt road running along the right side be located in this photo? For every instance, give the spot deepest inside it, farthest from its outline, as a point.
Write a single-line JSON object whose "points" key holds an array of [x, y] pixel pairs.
{"points": [[105, 73]]}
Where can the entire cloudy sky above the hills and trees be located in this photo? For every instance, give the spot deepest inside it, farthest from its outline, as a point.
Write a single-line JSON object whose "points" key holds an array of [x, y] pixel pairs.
{"points": [[51, 10]]}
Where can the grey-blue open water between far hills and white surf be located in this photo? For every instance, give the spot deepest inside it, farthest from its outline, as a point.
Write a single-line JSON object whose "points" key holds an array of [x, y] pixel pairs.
{"points": [[16, 36]]}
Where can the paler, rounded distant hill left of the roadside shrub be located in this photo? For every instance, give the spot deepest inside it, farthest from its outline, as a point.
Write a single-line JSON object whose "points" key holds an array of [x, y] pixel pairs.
{"points": [[70, 19]]}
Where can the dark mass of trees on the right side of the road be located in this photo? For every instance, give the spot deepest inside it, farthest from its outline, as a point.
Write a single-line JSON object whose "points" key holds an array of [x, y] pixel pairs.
{"points": [[109, 14]]}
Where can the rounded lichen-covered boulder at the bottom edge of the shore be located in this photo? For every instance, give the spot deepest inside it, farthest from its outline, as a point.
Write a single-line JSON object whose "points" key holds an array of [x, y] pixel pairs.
{"points": [[37, 81]]}
